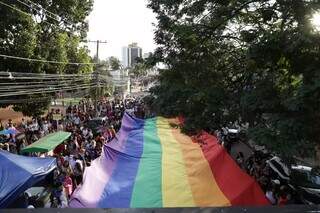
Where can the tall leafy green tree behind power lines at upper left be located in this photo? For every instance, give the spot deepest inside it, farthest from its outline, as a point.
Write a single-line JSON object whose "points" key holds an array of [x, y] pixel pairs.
{"points": [[40, 35]]}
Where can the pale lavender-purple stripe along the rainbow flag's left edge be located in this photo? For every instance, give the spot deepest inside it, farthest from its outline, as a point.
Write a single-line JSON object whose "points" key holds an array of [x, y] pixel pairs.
{"points": [[98, 175]]}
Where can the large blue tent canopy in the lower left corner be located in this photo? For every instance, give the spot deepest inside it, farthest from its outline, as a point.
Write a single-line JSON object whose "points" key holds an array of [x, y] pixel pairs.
{"points": [[18, 173]]}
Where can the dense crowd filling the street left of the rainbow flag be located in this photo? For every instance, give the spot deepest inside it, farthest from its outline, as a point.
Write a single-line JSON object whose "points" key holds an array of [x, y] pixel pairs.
{"points": [[91, 126]]}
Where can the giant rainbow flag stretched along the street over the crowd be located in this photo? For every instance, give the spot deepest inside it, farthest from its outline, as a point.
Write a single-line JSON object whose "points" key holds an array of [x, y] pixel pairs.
{"points": [[151, 165]]}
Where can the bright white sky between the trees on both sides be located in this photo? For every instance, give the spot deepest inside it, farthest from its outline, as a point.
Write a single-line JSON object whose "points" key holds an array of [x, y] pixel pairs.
{"points": [[121, 22]]}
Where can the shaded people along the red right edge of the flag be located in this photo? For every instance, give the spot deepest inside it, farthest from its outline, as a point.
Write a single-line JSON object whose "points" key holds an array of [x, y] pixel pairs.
{"points": [[256, 165]]}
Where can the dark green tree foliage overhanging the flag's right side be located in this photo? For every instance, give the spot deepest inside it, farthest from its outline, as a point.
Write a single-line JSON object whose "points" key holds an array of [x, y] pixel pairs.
{"points": [[252, 60]]}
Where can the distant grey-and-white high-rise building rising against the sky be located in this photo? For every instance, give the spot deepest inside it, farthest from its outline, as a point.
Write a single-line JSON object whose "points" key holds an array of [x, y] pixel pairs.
{"points": [[130, 55]]}
